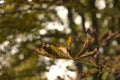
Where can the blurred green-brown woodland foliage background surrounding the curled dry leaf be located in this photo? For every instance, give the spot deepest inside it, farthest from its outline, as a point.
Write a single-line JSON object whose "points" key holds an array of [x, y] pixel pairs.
{"points": [[27, 24]]}
